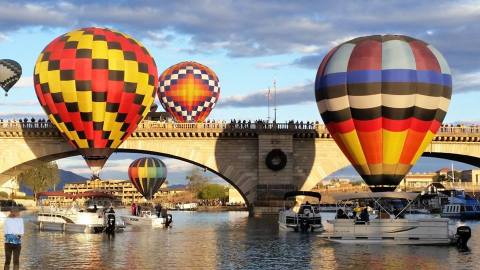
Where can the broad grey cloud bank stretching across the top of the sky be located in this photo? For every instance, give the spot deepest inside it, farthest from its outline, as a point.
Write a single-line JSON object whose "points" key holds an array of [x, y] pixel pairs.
{"points": [[272, 27]]}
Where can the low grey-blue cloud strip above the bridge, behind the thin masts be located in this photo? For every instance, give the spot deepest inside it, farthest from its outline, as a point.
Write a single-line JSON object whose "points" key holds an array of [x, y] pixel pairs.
{"points": [[287, 96]]}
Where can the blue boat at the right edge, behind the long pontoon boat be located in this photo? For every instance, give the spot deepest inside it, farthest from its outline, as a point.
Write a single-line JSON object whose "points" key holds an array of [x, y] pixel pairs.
{"points": [[461, 206]]}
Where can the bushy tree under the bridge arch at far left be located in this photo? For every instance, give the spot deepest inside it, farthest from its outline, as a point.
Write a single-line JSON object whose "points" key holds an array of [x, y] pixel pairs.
{"points": [[40, 178]]}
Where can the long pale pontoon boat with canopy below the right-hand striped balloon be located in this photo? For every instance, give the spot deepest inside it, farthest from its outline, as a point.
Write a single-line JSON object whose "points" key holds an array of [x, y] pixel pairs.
{"points": [[390, 226]]}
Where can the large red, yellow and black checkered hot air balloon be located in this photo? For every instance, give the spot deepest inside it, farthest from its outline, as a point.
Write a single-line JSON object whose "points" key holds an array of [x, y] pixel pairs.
{"points": [[95, 85]]}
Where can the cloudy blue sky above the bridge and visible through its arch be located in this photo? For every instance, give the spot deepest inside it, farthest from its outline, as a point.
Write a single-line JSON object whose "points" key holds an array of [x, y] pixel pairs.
{"points": [[248, 44]]}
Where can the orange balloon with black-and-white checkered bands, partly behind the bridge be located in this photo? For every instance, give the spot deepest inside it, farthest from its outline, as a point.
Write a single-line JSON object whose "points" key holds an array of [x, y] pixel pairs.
{"points": [[188, 91]]}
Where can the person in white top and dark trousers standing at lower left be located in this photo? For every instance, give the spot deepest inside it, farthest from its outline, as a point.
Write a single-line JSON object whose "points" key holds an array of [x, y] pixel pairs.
{"points": [[13, 231]]}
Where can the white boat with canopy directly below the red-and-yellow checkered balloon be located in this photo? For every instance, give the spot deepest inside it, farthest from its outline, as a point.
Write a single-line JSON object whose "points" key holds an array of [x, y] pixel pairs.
{"points": [[76, 218]]}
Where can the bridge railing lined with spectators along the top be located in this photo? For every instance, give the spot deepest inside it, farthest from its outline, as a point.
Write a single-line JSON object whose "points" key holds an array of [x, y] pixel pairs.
{"points": [[148, 125]]}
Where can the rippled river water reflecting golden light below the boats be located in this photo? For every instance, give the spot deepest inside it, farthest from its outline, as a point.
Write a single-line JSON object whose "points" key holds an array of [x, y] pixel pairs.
{"points": [[227, 240]]}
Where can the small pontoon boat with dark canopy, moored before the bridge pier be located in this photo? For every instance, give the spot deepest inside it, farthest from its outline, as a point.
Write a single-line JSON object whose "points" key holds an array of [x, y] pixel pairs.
{"points": [[305, 218]]}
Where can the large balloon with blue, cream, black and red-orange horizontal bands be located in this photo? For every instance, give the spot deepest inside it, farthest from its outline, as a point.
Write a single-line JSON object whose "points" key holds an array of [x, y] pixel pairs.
{"points": [[383, 98]]}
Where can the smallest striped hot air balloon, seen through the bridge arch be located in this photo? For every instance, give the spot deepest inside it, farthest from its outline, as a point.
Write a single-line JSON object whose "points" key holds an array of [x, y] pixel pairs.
{"points": [[147, 174]]}
